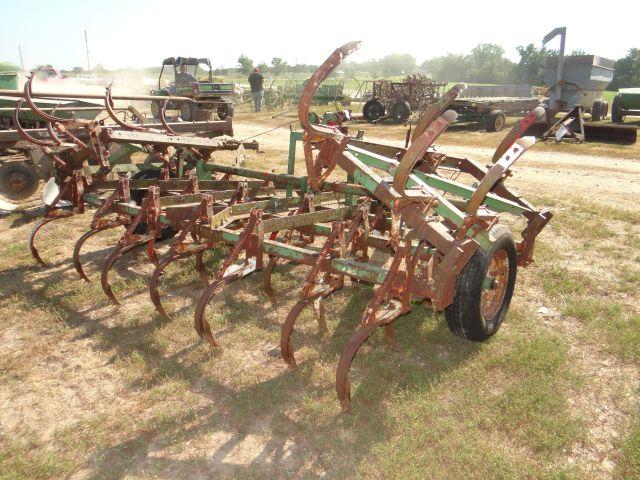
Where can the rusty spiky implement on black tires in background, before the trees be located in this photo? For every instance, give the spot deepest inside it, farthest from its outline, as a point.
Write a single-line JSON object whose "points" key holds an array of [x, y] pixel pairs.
{"points": [[397, 100]]}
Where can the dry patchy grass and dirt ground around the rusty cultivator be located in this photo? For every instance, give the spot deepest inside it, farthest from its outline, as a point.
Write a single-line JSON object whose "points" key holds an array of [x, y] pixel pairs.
{"points": [[90, 390]]}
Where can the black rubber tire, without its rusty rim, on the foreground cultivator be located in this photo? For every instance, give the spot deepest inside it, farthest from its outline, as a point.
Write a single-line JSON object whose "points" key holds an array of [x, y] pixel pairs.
{"points": [[464, 316]]}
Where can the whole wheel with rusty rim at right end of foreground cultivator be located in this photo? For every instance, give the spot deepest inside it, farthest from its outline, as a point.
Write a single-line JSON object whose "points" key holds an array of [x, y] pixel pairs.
{"points": [[475, 313]]}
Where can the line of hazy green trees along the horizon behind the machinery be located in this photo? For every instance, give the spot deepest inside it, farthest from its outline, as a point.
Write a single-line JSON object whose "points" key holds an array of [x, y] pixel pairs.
{"points": [[485, 63]]}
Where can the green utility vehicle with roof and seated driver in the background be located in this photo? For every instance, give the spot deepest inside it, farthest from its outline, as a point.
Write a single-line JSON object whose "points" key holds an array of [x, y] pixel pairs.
{"points": [[180, 76]]}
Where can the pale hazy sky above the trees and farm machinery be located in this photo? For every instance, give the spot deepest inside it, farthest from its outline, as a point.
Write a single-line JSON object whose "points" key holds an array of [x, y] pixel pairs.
{"points": [[141, 33]]}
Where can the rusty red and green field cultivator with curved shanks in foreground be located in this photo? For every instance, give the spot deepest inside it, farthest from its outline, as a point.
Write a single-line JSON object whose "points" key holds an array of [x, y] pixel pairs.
{"points": [[394, 218]]}
